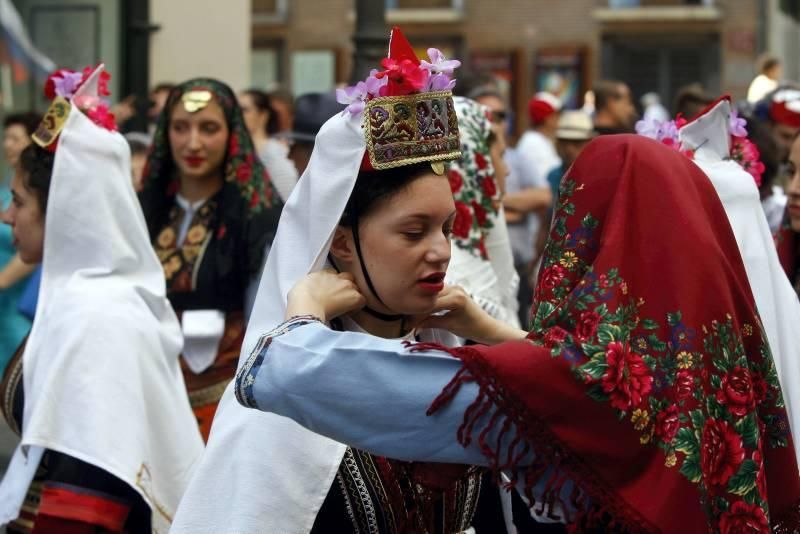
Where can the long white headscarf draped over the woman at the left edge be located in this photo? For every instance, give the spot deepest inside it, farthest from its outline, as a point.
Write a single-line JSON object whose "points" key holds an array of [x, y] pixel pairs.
{"points": [[101, 375]]}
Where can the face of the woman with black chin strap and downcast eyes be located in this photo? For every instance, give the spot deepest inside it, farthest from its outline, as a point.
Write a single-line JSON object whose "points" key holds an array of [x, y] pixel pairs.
{"points": [[405, 243]]}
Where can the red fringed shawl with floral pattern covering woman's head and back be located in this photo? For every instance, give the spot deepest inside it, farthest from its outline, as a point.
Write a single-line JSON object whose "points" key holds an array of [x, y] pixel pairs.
{"points": [[647, 378]]}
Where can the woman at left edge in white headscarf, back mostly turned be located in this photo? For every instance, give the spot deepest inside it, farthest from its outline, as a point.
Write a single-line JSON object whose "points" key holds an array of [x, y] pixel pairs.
{"points": [[88, 389]]}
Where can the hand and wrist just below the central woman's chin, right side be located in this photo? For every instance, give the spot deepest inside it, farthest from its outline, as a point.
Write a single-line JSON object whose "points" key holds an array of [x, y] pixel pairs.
{"points": [[466, 319]]}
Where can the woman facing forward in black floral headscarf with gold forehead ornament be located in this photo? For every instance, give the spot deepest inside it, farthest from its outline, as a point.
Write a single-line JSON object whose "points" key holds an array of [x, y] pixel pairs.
{"points": [[211, 212]]}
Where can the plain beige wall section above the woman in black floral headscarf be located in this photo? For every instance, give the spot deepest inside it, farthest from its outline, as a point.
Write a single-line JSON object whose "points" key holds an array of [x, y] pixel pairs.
{"points": [[201, 38]]}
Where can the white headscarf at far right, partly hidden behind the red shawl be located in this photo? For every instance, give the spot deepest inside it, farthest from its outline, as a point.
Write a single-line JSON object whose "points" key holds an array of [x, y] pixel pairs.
{"points": [[775, 298]]}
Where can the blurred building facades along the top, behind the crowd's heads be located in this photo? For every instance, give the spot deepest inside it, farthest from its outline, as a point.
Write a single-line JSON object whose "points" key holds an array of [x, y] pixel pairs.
{"points": [[306, 45]]}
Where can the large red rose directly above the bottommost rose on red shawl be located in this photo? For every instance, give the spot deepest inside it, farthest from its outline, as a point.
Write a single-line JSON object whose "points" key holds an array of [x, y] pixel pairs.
{"points": [[721, 452]]}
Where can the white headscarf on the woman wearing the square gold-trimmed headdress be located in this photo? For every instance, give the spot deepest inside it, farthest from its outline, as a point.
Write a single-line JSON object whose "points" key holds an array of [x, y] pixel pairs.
{"points": [[262, 472]]}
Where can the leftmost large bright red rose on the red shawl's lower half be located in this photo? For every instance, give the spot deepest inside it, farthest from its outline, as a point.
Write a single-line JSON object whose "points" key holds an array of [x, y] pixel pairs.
{"points": [[627, 379]]}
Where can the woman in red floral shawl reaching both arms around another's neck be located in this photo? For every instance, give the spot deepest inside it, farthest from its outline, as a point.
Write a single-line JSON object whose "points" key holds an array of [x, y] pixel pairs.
{"points": [[645, 398]]}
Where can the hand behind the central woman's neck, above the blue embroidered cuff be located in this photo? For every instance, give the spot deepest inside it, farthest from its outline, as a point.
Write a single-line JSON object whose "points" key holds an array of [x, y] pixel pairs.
{"points": [[324, 294]]}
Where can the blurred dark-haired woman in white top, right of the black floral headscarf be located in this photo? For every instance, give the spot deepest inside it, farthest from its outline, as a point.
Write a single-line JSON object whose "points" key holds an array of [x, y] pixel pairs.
{"points": [[262, 123]]}
